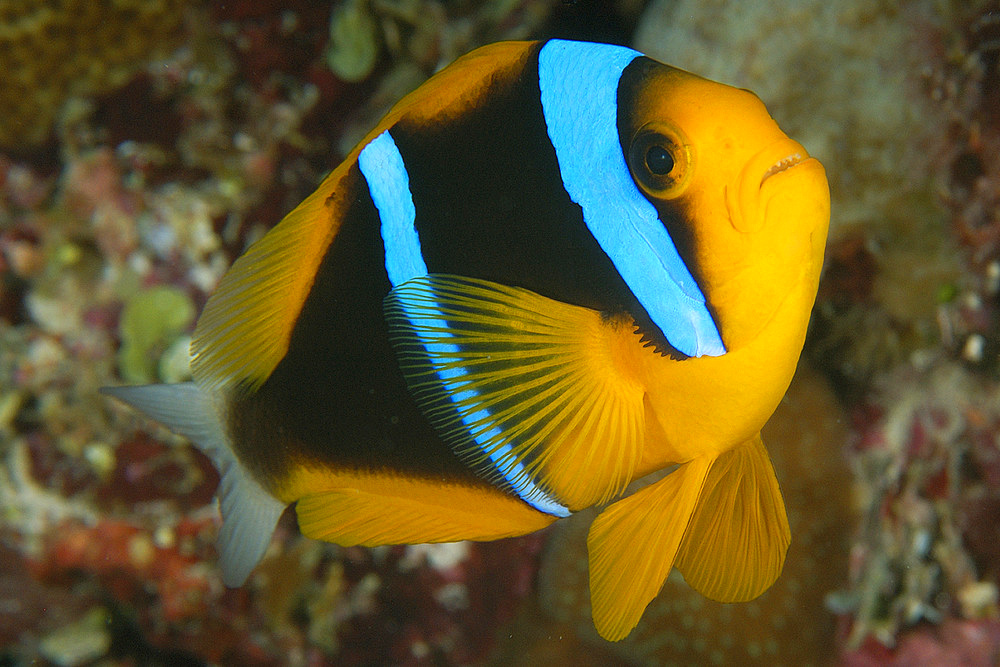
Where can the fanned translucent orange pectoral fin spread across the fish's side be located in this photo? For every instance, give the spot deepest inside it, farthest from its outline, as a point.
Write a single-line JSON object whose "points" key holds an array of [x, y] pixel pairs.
{"points": [[526, 389]]}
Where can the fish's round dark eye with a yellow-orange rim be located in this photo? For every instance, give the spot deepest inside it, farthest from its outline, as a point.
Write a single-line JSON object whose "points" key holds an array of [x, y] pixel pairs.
{"points": [[660, 160]]}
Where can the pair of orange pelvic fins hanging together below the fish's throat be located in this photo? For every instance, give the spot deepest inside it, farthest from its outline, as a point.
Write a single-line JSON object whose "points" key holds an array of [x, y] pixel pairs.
{"points": [[720, 521]]}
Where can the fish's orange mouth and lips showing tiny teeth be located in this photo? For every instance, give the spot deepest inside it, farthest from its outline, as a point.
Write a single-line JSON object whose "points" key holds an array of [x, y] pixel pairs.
{"points": [[745, 197]]}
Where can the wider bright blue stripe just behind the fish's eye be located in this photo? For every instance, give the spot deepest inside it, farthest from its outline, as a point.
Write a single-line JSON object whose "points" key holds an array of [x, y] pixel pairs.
{"points": [[579, 89]]}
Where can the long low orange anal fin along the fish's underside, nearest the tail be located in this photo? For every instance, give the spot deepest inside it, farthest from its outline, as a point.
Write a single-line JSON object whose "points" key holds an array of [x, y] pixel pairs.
{"points": [[351, 516]]}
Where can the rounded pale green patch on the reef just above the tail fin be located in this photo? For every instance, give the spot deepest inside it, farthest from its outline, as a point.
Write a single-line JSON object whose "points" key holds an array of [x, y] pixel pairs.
{"points": [[151, 322]]}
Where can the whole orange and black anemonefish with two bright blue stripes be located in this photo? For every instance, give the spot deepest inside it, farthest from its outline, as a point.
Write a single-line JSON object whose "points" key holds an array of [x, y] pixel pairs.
{"points": [[554, 268]]}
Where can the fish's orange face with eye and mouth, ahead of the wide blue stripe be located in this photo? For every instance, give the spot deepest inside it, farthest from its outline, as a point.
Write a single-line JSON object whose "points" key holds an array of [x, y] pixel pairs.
{"points": [[747, 207]]}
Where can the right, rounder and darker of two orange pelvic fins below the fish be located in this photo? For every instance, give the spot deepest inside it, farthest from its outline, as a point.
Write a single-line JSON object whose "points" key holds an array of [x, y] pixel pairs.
{"points": [[738, 536]]}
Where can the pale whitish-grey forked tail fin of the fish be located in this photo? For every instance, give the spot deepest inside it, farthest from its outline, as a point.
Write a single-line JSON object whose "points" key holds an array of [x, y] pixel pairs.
{"points": [[249, 513]]}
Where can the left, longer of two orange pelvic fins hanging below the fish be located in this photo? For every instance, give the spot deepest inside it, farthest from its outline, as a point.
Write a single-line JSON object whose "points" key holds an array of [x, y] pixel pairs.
{"points": [[632, 545]]}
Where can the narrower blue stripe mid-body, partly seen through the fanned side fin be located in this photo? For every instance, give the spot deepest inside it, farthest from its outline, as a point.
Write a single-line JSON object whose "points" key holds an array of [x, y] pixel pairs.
{"points": [[389, 185]]}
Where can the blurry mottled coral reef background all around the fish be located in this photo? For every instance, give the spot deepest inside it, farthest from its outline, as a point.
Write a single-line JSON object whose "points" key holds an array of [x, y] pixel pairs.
{"points": [[145, 144]]}
